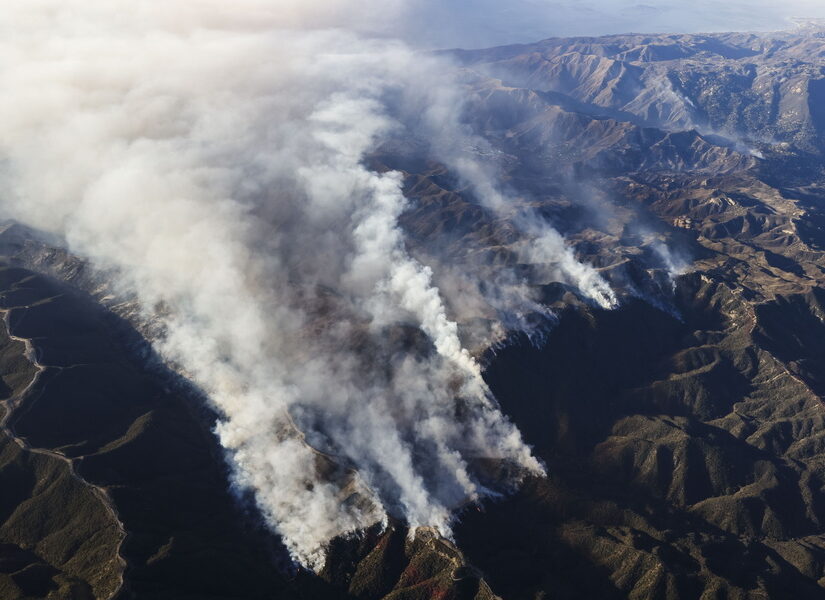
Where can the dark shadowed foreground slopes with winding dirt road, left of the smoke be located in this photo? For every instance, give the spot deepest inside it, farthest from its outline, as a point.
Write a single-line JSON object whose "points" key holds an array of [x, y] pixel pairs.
{"points": [[114, 486]]}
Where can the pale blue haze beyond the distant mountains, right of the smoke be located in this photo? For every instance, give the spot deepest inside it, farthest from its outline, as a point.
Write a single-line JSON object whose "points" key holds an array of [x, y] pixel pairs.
{"points": [[478, 23]]}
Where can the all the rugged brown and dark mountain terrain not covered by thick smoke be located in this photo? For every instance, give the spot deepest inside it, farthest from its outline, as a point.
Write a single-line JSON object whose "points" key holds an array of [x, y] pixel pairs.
{"points": [[683, 432]]}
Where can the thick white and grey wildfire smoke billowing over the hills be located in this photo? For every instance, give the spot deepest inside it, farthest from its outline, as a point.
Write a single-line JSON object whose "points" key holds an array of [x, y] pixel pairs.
{"points": [[213, 157]]}
